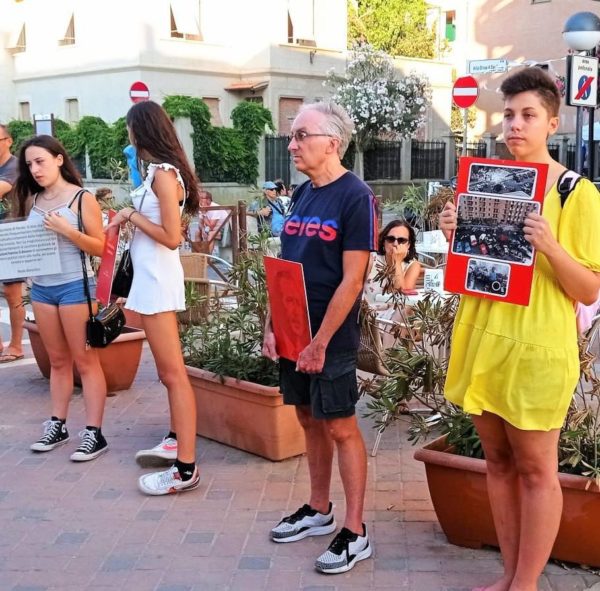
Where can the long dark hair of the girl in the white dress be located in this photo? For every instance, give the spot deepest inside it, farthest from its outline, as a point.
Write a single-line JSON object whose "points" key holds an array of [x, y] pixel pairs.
{"points": [[153, 135]]}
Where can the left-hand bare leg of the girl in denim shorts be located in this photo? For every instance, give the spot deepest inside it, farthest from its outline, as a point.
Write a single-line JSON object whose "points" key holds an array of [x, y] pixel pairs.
{"points": [[61, 363]]}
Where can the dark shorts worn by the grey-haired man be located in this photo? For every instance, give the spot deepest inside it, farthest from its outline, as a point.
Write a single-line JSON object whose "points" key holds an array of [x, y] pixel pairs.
{"points": [[331, 394]]}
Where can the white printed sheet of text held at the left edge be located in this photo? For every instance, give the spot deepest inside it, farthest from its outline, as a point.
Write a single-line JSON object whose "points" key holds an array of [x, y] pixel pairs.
{"points": [[27, 250]]}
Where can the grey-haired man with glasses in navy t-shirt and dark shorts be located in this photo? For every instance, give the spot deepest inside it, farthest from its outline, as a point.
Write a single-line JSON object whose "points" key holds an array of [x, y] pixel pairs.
{"points": [[331, 228]]}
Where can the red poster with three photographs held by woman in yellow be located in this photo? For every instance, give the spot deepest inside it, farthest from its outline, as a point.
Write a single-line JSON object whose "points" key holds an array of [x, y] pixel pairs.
{"points": [[489, 256]]}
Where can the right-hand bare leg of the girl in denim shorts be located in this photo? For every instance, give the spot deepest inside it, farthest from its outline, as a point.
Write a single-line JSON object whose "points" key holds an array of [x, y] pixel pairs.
{"points": [[73, 319]]}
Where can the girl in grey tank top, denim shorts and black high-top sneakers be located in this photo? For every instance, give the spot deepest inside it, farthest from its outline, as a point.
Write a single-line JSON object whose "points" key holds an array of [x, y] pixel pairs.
{"points": [[49, 190]]}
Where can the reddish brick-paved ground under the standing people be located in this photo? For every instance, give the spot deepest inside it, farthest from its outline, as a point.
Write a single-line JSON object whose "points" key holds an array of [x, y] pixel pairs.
{"points": [[67, 526]]}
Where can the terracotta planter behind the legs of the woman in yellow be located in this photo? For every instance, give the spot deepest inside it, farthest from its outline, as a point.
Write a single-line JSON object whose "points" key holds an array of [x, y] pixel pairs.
{"points": [[458, 490]]}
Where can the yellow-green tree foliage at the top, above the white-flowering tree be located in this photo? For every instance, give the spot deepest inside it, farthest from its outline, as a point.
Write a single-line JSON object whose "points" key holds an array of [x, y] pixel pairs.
{"points": [[398, 27]]}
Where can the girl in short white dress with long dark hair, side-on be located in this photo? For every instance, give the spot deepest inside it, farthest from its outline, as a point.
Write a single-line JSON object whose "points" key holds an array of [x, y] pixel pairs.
{"points": [[157, 292]]}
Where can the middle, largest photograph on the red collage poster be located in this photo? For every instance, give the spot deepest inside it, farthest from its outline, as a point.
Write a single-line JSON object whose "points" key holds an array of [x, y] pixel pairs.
{"points": [[493, 227]]}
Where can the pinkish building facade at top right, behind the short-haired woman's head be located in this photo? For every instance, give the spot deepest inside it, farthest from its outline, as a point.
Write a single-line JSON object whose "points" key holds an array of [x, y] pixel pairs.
{"points": [[524, 32]]}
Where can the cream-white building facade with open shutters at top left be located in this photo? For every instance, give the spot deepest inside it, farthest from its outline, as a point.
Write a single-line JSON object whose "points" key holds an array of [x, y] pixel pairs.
{"points": [[75, 58]]}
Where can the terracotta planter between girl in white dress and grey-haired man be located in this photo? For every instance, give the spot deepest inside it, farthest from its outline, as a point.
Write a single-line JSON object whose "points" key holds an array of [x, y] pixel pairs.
{"points": [[247, 416]]}
